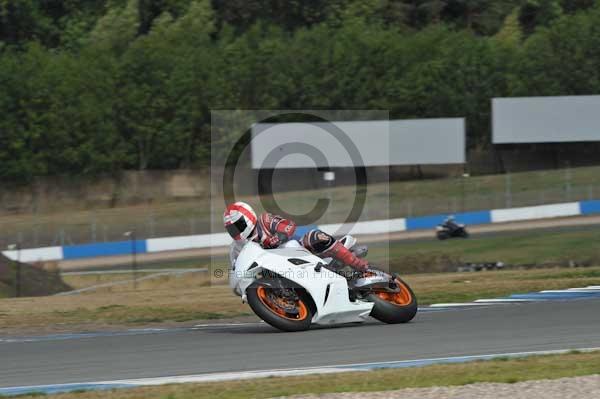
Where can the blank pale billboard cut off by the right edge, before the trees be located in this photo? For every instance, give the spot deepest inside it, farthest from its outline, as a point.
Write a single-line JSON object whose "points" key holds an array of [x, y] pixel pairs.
{"points": [[546, 119]]}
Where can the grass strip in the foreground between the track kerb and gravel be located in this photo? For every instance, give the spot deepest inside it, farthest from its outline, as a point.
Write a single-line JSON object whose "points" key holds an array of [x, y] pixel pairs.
{"points": [[501, 371]]}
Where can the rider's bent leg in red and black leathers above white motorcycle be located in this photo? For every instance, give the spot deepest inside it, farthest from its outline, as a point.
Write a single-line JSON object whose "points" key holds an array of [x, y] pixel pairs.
{"points": [[324, 245]]}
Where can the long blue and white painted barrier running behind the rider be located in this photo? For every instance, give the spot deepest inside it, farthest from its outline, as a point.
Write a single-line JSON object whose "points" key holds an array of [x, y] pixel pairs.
{"points": [[369, 227]]}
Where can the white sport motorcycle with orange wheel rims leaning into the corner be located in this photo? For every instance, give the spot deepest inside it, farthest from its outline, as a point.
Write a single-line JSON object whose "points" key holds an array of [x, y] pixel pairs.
{"points": [[290, 288]]}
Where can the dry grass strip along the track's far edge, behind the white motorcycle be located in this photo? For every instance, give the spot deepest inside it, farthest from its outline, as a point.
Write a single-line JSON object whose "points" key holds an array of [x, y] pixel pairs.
{"points": [[178, 299]]}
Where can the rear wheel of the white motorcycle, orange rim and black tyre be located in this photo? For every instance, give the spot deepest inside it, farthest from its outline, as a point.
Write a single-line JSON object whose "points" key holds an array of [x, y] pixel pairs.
{"points": [[394, 308]]}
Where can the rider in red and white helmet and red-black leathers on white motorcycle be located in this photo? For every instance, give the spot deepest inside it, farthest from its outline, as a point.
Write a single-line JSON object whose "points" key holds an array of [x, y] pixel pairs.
{"points": [[271, 231]]}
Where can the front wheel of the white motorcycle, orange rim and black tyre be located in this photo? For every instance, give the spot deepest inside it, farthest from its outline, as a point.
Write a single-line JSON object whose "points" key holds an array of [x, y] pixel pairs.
{"points": [[281, 312]]}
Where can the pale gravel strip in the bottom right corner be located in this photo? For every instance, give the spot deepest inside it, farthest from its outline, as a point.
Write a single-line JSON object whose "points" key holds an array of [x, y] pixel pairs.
{"points": [[565, 388]]}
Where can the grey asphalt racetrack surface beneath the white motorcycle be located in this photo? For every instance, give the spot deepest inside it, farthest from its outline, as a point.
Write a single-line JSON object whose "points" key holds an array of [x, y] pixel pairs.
{"points": [[487, 330]]}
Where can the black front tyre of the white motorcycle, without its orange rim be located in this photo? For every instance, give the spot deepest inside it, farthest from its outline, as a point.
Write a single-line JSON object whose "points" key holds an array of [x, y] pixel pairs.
{"points": [[274, 319]]}
